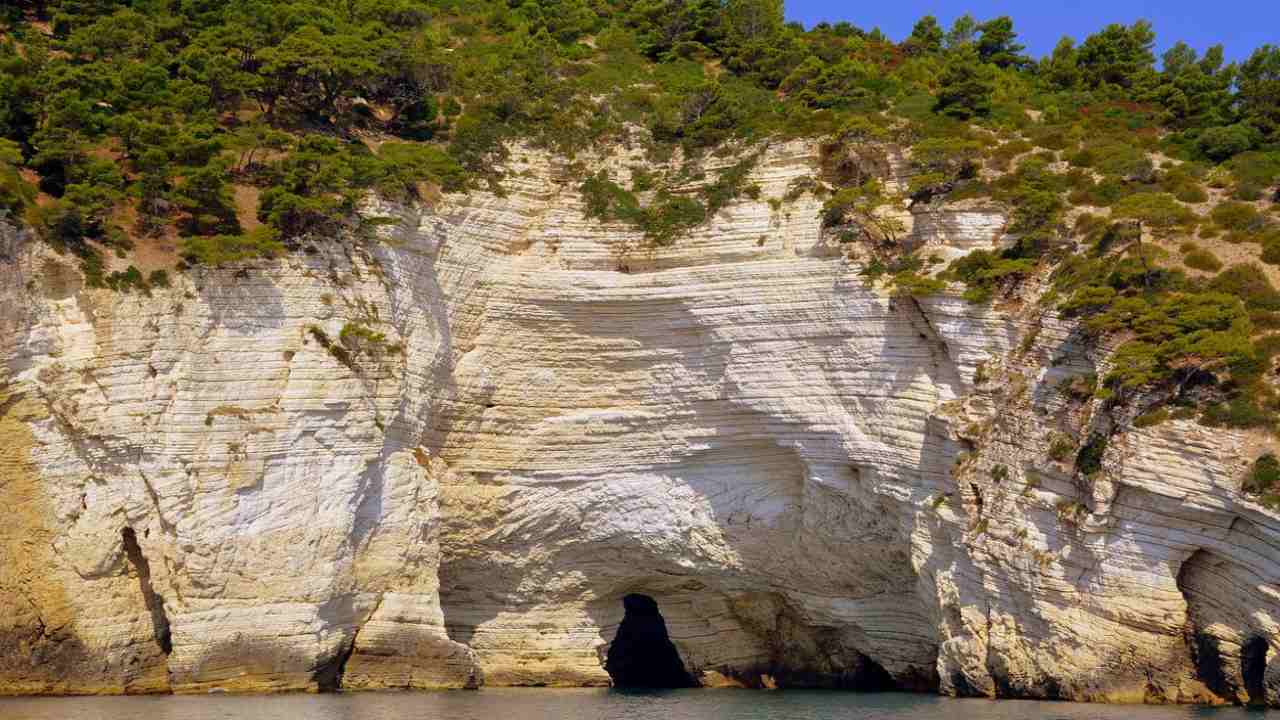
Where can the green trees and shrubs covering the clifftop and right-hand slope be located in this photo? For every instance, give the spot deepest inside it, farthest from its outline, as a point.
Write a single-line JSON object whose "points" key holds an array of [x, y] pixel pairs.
{"points": [[254, 129]]}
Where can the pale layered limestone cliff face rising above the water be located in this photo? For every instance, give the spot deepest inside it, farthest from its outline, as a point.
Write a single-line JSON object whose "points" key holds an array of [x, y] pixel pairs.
{"points": [[816, 482]]}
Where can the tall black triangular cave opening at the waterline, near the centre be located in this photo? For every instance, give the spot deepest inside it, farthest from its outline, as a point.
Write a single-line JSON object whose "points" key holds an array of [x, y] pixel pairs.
{"points": [[642, 654]]}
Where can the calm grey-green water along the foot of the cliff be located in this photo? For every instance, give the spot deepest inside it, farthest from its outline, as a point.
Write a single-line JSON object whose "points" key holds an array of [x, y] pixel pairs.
{"points": [[591, 705]]}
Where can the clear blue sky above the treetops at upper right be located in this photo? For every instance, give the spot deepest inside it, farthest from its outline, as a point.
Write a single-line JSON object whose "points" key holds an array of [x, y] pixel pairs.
{"points": [[1240, 25]]}
